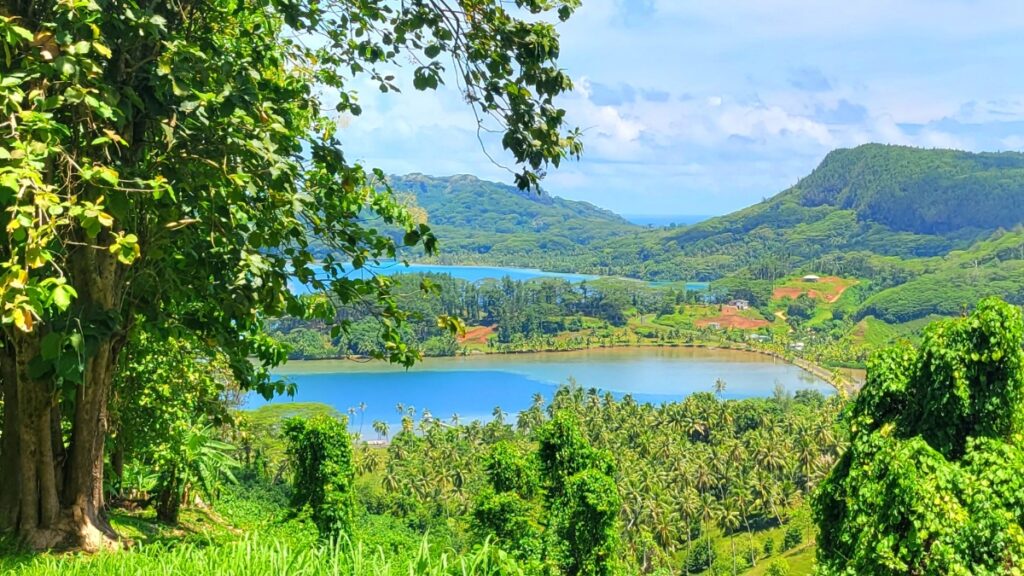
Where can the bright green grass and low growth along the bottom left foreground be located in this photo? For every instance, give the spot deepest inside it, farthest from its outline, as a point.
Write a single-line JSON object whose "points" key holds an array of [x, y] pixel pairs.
{"points": [[248, 534]]}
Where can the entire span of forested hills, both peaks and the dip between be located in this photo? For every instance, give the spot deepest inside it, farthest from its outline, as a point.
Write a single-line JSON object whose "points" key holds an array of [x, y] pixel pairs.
{"points": [[858, 208]]}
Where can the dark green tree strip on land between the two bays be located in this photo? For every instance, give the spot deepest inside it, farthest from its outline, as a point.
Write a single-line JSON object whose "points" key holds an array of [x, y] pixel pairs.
{"points": [[524, 314]]}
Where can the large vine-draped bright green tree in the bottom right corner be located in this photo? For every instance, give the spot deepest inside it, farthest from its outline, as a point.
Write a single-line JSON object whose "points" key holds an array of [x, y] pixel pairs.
{"points": [[931, 483]]}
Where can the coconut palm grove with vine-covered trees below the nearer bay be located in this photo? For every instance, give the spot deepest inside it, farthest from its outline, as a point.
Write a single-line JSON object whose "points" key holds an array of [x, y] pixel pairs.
{"points": [[682, 473]]}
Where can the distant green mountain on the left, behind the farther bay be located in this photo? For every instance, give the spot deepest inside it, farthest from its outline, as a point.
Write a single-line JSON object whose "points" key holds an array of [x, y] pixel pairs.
{"points": [[475, 218]]}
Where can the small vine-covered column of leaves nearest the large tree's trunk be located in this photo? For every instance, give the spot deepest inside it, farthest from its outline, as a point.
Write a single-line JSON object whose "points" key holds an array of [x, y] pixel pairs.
{"points": [[321, 455]]}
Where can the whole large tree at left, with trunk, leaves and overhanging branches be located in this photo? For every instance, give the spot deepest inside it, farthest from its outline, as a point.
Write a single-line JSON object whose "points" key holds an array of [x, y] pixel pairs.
{"points": [[173, 164]]}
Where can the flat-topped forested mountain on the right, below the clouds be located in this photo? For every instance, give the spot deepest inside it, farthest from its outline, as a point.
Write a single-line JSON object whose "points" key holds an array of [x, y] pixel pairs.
{"points": [[889, 200]]}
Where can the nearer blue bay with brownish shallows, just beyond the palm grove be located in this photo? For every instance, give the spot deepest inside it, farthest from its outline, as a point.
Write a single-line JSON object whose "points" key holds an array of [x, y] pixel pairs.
{"points": [[473, 387]]}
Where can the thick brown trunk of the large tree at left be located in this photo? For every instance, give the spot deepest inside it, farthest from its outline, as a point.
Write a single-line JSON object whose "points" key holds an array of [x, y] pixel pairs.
{"points": [[52, 498]]}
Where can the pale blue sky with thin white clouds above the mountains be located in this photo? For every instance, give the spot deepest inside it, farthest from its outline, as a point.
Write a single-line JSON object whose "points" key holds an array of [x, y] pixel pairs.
{"points": [[707, 107]]}
